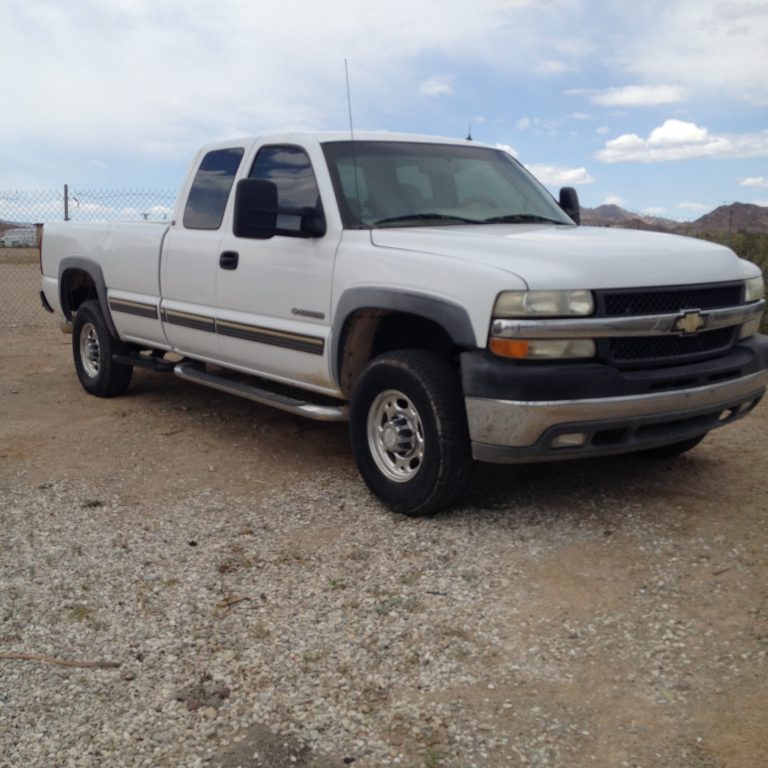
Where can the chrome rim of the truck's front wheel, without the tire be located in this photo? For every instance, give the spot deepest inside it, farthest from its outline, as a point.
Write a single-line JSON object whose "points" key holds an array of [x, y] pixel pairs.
{"points": [[395, 436]]}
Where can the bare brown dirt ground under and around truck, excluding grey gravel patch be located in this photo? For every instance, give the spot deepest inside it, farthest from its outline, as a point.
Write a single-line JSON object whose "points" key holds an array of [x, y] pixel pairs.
{"points": [[641, 593]]}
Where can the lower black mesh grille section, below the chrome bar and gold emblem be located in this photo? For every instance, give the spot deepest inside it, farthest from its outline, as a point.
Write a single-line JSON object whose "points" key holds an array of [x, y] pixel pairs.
{"points": [[661, 349]]}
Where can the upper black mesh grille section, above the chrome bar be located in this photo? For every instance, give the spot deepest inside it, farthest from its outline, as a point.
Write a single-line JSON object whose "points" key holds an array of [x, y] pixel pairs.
{"points": [[661, 301]]}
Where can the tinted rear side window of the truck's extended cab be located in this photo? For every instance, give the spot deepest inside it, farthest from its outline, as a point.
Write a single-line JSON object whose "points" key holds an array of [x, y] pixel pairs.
{"points": [[210, 189]]}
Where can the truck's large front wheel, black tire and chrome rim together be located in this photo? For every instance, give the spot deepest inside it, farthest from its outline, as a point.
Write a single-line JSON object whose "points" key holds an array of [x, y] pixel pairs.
{"points": [[408, 430]]}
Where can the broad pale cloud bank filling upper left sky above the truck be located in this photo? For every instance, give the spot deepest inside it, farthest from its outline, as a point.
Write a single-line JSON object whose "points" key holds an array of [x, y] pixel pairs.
{"points": [[143, 76]]}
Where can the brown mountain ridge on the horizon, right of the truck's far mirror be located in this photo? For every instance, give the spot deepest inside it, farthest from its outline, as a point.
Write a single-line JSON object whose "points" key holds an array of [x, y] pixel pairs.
{"points": [[733, 217]]}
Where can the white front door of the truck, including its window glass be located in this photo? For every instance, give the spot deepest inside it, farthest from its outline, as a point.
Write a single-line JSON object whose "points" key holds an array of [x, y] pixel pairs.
{"points": [[274, 295]]}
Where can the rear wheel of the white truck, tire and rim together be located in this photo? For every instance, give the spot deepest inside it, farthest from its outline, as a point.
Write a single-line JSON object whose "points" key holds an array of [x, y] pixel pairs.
{"points": [[92, 349]]}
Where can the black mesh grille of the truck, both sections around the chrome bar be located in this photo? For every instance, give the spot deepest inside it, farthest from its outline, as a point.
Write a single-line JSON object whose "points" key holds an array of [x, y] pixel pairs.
{"points": [[672, 349]]}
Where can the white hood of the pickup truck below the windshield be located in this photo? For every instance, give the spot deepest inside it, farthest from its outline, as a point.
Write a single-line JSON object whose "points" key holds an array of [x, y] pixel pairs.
{"points": [[551, 257]]}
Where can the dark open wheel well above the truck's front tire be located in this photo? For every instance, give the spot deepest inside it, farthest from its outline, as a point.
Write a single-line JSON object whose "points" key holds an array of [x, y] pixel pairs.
{"points": [[371, 332]]}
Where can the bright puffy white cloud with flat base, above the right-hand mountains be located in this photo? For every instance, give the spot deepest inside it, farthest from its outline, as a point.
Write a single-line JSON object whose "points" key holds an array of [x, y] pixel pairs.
{"points": [[679, 140]]}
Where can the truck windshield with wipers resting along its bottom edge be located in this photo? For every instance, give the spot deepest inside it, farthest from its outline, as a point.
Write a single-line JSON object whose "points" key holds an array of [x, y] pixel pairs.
{"points": [[389, 184]]}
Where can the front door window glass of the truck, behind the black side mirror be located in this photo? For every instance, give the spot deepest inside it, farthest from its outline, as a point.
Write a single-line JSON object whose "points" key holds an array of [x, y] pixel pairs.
{"points": [[290, 170]]}
